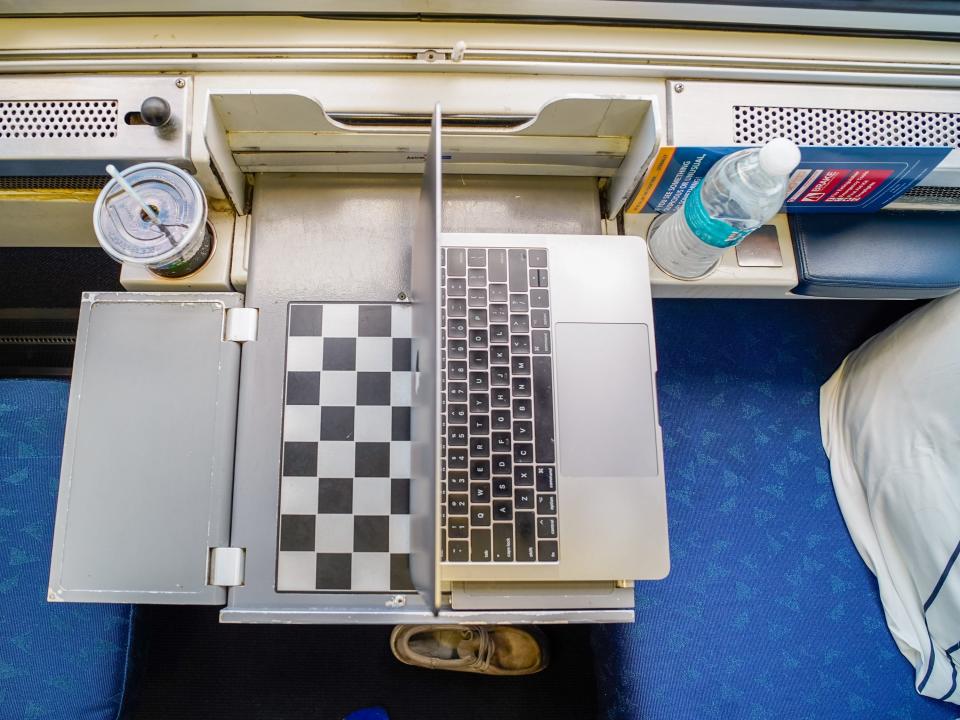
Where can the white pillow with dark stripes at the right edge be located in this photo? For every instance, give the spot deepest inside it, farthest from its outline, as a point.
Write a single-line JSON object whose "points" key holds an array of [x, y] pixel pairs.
{"points": [[890, 420]]}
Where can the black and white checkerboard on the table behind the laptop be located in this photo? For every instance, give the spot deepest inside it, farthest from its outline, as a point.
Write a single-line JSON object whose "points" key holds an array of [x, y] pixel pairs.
{"points": [[344, 487]]}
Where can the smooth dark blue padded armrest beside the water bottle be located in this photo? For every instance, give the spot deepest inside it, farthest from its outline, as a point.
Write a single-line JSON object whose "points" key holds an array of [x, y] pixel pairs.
{"points": [[891, 254]]}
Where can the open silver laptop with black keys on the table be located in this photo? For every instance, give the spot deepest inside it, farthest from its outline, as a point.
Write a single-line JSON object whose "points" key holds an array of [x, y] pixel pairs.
{"points": [[536, 450]]}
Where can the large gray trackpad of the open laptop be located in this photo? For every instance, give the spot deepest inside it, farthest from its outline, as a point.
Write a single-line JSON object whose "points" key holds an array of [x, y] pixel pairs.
{"points": [[607, 423]]}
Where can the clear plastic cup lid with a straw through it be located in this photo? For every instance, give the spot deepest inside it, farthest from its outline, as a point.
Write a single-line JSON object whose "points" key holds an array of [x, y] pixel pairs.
{"points": [[128, 234]]}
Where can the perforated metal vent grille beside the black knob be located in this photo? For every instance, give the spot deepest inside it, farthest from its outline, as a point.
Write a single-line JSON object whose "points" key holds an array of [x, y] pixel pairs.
{"points": [[75, 119]]}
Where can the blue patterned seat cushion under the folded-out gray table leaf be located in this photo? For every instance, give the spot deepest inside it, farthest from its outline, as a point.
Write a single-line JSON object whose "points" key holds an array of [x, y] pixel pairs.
{"points": [[57, 660]]}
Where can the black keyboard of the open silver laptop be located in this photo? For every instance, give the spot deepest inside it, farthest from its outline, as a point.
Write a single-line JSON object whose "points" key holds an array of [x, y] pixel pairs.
{"points": [[499, 492]]}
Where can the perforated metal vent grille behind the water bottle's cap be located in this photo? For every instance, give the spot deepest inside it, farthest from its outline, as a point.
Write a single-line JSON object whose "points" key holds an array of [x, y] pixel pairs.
{"points": [[755, 125]]}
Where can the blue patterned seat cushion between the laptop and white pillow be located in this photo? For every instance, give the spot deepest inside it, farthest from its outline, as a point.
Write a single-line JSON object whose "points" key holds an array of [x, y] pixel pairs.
{"points": [[768, 611]]}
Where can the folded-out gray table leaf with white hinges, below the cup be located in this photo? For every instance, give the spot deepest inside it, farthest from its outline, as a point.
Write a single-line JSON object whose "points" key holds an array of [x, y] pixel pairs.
{"points": [[147, 473]]}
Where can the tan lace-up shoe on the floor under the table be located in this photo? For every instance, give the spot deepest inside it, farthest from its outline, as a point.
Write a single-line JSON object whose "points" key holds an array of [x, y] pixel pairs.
{"points": [[489, 650]]}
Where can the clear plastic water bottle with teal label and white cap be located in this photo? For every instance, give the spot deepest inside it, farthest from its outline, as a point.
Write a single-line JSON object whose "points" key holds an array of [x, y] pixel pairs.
{"points": [[738, 195]]}
